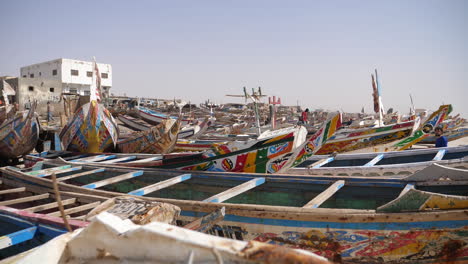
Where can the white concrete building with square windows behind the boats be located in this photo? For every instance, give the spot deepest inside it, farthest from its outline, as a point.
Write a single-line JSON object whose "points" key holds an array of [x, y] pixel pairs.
{"points": [[45, 82]]}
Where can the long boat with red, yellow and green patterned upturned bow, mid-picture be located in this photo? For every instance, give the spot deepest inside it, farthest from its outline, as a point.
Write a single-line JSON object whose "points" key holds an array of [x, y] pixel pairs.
{"points": [[271, 152]]}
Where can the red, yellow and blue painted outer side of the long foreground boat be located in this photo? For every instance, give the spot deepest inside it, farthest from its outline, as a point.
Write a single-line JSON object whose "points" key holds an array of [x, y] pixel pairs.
{"points": [[355, 242]]}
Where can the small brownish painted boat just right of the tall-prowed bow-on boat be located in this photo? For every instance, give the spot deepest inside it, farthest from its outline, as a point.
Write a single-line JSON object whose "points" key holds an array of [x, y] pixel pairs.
{"points": [[158, 139]]}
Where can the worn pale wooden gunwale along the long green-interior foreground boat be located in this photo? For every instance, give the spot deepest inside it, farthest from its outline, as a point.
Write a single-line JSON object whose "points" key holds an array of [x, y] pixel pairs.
{"points": [[266, 211]]}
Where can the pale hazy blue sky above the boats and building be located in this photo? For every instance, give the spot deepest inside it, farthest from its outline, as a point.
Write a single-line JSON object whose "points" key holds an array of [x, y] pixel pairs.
{"points": [[317, 53]]}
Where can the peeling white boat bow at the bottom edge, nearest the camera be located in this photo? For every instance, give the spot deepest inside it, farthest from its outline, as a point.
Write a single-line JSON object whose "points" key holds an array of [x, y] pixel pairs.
{"points": [[158, 243]]}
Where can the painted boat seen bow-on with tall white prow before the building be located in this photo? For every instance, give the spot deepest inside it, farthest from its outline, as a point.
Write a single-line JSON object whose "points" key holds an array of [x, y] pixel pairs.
{"points": [[92, 129]]}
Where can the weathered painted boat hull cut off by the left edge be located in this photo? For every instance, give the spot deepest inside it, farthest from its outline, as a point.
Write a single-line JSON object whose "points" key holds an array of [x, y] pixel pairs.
{"points": [[19, 135]]}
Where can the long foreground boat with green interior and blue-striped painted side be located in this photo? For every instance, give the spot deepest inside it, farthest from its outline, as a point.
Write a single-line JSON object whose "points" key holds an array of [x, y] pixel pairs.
{"points": [[339, 234]]}
